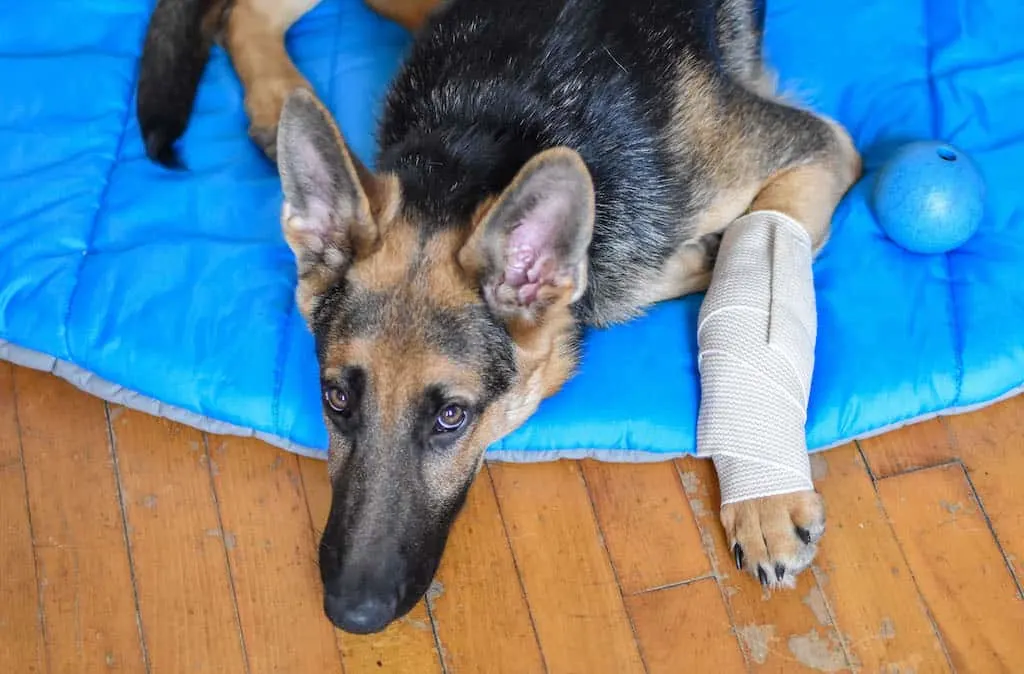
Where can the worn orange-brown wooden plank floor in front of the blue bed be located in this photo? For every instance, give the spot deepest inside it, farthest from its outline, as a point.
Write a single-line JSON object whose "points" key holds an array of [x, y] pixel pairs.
{"points": [[131, 544]]}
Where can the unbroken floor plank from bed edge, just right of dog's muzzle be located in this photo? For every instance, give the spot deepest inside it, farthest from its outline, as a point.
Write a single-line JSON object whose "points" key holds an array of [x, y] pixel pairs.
{"points": [[576, 602]]}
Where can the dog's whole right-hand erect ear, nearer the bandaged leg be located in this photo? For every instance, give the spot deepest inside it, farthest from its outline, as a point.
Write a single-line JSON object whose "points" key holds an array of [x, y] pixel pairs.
{"points": [[530, 249]]}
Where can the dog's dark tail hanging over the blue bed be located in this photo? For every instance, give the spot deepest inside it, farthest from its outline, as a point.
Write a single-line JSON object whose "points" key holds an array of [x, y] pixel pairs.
{"points": [[175, 56]]}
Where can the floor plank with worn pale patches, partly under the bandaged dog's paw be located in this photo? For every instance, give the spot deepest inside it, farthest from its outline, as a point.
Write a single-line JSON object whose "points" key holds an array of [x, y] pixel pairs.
{"points": [[787, 631]]}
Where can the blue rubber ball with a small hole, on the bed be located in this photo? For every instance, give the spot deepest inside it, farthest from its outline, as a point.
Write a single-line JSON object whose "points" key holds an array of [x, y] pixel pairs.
{"points": [[929, 198]]}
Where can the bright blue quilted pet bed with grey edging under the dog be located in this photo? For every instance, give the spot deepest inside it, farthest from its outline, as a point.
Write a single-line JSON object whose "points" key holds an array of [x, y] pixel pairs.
{"points": [[174, 292]]}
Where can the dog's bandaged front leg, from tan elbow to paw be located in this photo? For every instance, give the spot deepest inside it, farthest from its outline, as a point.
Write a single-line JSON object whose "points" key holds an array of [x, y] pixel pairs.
{"points": [[757, 336]]}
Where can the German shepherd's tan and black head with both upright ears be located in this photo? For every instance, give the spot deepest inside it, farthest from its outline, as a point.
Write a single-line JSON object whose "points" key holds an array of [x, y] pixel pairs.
{"points": [[435, 341]]}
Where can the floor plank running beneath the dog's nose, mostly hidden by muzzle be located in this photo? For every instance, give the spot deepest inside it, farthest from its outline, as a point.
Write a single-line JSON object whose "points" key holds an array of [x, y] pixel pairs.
{"points": [[405, 648]]}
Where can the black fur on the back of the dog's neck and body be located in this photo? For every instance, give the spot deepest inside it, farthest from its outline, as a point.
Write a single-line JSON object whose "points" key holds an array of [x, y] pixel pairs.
{"points": [[489, 86]]}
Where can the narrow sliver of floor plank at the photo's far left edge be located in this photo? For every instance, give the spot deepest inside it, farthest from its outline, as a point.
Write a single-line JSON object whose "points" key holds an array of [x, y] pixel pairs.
{"points": [[22, 647]]}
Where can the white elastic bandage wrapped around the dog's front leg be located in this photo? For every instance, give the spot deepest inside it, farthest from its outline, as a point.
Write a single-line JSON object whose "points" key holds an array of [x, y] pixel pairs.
{"points": [[756, 335]]}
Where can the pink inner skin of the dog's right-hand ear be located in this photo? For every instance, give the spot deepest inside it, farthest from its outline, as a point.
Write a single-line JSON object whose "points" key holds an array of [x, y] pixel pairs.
{"points": [[531, 260]]}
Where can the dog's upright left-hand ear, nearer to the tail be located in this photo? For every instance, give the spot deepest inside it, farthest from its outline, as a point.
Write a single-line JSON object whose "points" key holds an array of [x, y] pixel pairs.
{"points": [[328, 215]]}
